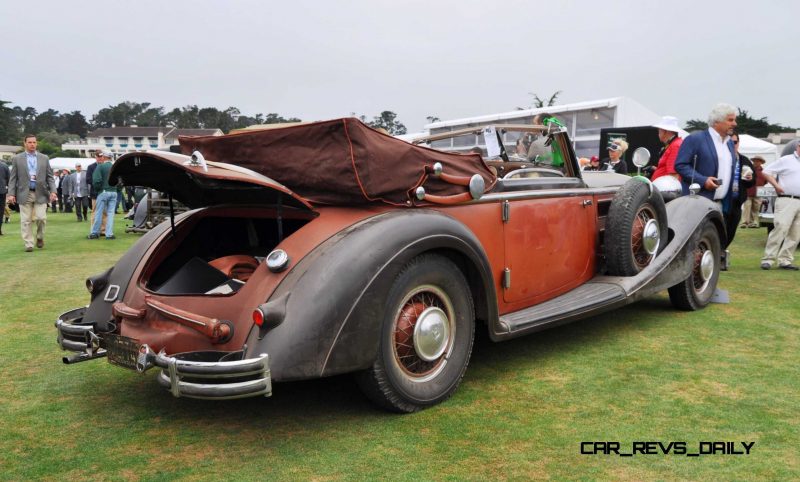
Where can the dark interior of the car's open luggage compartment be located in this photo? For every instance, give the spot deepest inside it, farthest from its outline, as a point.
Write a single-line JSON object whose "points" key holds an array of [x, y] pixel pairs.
{"points": [[216, 254]]}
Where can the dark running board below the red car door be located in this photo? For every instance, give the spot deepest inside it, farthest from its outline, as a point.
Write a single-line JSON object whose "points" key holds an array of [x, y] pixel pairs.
{"points": [[585, 300]]}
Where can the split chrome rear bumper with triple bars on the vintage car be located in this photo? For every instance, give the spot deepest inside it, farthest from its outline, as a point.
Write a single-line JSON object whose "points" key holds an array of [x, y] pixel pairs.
{"points": [[205, 375]]}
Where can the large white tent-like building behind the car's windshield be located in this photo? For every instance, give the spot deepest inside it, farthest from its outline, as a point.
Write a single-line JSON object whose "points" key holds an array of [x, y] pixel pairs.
{"points": [[582, 119]]}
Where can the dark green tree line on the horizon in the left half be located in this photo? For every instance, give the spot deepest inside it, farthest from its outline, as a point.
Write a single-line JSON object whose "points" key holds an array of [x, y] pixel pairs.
{"points": [[53, 128]]}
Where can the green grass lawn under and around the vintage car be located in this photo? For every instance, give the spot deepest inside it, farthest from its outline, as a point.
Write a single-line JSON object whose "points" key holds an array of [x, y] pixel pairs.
{"points": [[643, 373]]}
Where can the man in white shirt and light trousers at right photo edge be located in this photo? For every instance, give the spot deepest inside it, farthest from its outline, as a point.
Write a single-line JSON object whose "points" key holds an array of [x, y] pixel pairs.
{"points": [[784, 175]]}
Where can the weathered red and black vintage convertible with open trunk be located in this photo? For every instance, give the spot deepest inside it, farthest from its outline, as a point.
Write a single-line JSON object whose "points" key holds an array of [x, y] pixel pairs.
{"points": [[330, 248]]}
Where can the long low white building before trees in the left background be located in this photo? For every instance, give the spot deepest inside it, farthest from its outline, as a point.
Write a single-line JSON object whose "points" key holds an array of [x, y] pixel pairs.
{"points": [[121, 140]]}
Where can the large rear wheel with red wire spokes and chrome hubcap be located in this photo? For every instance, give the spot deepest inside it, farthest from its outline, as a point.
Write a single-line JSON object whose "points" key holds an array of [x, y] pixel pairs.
{"points": [[401, 379]]}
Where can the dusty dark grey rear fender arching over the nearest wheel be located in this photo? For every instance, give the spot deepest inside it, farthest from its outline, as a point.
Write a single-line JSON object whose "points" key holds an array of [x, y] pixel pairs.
{"points": [[335, 296]]}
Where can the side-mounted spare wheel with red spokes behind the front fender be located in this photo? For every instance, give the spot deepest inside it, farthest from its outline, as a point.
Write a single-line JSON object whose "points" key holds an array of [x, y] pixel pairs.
{"points": [[631, 210]]}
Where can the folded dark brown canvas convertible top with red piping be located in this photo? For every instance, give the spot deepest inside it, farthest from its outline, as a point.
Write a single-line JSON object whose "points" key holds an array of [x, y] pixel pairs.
{"points": [[341, 161]]}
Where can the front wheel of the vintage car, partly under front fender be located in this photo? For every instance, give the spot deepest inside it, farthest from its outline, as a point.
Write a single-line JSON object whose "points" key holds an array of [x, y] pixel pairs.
{"points": [[696, 290]]}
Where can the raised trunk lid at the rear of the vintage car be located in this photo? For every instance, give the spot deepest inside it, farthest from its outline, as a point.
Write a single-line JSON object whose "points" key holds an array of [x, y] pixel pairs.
{"points": [[199, 183]]}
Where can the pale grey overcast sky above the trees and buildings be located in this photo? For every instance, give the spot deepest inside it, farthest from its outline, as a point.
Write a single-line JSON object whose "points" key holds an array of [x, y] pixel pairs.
{"points": [[450, 59]]}
